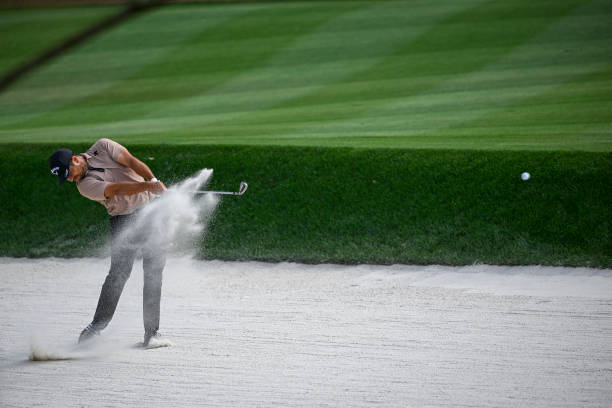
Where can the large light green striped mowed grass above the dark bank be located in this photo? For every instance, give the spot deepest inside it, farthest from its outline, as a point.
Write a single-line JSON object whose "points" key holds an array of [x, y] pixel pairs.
{"points": [[472, 74]]}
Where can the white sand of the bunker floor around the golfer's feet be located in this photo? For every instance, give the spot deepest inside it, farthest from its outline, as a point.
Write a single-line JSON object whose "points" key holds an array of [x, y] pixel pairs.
{"points": [[287, 335]]}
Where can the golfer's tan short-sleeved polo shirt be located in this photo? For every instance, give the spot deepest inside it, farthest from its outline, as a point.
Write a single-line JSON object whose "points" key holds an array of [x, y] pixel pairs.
{"points": [[103, 154]]}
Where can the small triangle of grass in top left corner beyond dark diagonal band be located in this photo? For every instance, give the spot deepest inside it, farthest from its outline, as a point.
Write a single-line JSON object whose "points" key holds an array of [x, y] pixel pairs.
{"points": [[25, 33]]}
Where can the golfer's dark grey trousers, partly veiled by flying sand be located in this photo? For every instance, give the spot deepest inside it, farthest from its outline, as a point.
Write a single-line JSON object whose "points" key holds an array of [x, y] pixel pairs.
{"points": [[124, 251]]}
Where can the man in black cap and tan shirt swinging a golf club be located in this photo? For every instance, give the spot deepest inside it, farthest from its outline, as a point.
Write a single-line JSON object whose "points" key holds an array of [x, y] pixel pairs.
{"points": [[109, 174]]}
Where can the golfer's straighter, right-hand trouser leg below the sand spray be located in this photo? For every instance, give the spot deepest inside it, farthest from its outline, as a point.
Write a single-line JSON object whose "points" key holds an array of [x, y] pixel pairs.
{"points": [[153, 263]]}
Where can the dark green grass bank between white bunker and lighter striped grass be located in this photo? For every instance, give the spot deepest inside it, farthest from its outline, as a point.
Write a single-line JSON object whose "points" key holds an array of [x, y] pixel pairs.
{"points": [[343, 205]]}
